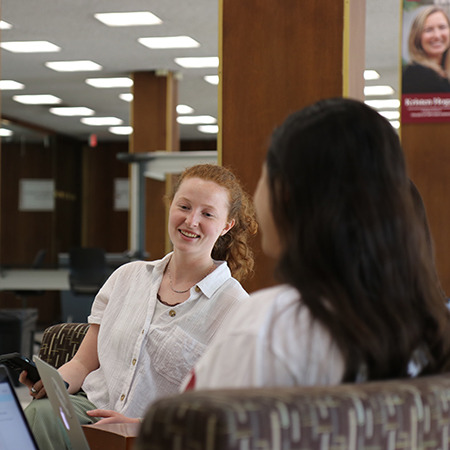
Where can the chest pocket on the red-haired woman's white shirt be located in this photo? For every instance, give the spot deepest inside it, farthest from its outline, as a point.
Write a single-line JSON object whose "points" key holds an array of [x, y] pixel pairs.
{"points": [[174, 352]]}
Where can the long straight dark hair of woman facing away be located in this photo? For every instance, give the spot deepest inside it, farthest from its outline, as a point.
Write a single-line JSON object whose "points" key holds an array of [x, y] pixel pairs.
{"points": [[353, 244]]}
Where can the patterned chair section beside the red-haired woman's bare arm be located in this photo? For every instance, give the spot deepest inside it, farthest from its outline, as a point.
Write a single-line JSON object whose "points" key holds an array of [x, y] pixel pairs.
{"points": [[60, 342]]}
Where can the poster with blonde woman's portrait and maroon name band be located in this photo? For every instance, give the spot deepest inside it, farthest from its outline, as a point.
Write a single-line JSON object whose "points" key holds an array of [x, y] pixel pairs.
{"points": [[425, 61]]}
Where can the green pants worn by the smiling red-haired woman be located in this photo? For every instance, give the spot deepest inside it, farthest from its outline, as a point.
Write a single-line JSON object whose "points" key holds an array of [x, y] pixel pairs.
{"points": [[48, 429]]}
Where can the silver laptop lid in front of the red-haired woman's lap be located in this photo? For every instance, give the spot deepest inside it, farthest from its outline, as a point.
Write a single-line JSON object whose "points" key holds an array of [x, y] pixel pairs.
{"points": [[62, 406]]}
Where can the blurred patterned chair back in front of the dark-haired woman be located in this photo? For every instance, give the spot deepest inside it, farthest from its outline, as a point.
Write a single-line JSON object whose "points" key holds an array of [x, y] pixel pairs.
{"points": [[398, 414]]}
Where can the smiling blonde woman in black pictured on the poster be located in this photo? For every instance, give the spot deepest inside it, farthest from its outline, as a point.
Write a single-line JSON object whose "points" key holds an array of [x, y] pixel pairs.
{"points": [[428, 70]]}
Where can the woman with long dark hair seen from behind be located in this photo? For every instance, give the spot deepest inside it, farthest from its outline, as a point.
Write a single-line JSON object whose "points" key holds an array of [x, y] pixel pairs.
{"points": [[359, 298]]}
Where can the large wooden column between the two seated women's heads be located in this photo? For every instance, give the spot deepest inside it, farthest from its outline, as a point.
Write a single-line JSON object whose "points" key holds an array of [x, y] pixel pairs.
{"points": [[277, 57]]}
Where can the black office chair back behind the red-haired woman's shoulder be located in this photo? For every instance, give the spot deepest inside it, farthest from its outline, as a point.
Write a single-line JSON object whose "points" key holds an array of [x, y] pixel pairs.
{"points": [[87, 270]]}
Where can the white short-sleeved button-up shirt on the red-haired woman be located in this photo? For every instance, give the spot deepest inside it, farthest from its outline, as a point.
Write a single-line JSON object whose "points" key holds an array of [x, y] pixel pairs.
{"points": [[145, 348]]}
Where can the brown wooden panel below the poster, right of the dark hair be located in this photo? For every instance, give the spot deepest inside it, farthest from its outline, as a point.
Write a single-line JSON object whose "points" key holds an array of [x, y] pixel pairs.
{"points": [[427, 149]]}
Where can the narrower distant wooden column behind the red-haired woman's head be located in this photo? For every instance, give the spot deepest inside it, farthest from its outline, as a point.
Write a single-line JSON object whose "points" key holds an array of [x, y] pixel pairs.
{"points": [[153, 117]]}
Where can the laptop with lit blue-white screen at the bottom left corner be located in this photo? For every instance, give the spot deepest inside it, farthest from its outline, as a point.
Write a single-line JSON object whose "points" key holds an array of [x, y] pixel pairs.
{"points": [[15, 432]]}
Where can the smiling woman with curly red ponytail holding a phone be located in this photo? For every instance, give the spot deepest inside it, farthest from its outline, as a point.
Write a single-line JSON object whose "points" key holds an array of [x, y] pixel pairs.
{"points": [[152, 320]]}
